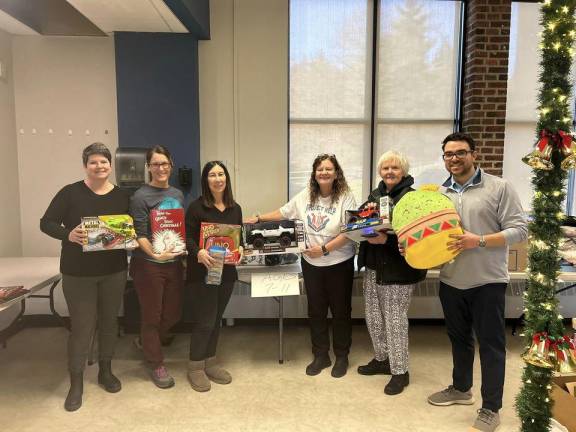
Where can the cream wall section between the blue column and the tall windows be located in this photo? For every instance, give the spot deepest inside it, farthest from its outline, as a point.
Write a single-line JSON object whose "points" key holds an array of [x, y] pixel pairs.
{"points": [[244, 98]]}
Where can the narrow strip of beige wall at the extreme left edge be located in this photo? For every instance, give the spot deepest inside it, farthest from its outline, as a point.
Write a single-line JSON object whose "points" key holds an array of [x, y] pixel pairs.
{"points": [[10, 243]]}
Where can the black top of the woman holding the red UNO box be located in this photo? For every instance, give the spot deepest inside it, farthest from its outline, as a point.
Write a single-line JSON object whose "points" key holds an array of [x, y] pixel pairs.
{"points": [[196, 214]]}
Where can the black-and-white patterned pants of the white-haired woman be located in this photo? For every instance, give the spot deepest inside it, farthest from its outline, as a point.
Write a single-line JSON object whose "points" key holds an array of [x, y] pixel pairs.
{"points": [[387, 320]]}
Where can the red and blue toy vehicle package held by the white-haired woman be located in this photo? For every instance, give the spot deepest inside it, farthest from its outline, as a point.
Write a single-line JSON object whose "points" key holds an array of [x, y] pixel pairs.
{"points": [[364, 223]]}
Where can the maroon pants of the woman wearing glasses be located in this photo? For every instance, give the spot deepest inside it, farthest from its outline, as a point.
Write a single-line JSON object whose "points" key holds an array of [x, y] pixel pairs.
{"points": [[159, 288]]}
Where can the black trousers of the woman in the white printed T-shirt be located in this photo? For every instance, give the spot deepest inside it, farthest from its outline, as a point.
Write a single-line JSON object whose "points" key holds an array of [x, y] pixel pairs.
{"points": [[329, 287]]}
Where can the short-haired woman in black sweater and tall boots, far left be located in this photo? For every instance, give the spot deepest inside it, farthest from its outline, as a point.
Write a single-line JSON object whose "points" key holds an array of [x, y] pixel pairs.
{"points": [[93, 282]]}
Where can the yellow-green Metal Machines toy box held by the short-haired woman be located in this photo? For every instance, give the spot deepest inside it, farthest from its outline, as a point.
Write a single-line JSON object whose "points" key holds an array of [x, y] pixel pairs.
{"points": [[109, 232]]}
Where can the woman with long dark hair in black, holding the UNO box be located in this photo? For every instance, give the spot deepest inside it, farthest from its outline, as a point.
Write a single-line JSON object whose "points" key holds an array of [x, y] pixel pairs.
{"points": [[216, 205]]}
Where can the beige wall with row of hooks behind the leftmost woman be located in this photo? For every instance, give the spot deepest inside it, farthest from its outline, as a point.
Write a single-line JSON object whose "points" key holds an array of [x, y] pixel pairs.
{"points": [[62, 84]]}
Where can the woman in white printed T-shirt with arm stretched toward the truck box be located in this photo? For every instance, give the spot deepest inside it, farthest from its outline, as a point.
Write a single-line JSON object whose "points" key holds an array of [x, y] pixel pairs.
{"points": [[328, 264]]}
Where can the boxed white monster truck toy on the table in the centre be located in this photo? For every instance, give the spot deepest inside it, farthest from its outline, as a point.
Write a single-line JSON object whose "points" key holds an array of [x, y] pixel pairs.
{"points": [[267, 238]]}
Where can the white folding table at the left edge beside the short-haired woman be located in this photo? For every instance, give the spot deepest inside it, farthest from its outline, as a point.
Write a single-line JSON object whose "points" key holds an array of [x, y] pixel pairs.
{"points": [[33, 274]]}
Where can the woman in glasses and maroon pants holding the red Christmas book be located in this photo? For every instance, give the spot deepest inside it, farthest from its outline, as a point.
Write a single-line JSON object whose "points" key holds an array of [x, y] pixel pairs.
{"points": [[158, 277]]}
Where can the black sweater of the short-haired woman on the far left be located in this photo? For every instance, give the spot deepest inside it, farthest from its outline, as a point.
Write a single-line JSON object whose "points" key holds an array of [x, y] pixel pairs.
{"points": [[64, 213]]}
